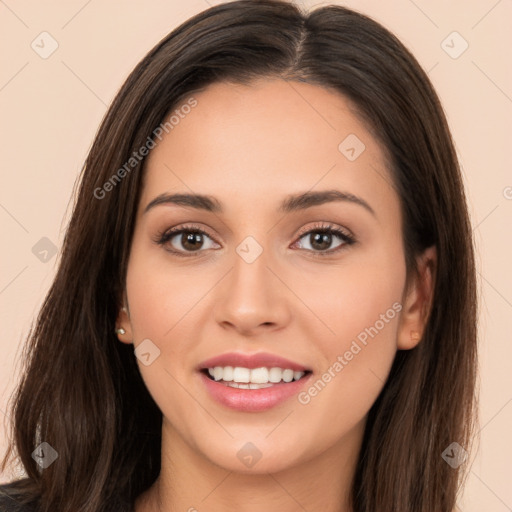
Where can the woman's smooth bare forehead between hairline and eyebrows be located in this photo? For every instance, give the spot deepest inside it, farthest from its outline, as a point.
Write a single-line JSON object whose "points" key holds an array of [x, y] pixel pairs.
{"points": [[251, 144]]}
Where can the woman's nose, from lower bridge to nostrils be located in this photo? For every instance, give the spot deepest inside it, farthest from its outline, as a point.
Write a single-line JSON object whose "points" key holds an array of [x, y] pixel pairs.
{"points": [[252, 298]]}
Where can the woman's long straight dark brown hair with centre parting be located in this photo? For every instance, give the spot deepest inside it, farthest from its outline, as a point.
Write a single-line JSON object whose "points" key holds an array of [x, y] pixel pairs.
{"points": [[81, 390]]}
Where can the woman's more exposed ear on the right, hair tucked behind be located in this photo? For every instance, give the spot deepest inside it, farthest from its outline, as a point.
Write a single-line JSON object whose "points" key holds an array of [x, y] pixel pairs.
{"points": [[417, 300]]}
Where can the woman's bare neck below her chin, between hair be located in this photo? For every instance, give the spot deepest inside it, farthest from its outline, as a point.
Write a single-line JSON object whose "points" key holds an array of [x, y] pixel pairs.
{"points": [[190, 482]]}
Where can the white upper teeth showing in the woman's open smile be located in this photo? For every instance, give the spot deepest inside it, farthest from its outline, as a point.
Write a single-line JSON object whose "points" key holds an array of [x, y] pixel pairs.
{"points": [[256, 378]]}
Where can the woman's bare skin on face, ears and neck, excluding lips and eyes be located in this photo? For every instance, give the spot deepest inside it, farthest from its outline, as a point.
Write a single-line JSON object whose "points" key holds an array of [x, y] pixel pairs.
{"points": [[267, 141]]}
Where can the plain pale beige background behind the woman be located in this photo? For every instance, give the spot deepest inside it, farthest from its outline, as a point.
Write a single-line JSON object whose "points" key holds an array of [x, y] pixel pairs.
{"points": [[51, 108]]}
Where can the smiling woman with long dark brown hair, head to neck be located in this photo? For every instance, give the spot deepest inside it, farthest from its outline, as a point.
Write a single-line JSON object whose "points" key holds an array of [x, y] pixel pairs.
{"points": [[266, 298]]}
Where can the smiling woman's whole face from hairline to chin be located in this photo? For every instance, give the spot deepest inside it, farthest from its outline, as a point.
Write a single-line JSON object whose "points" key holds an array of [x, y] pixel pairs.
{"points": [[268, 268]]}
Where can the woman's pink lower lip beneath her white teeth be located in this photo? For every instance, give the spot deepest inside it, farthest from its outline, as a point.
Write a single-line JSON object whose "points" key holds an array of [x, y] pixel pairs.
{"points": [[253, 400]]}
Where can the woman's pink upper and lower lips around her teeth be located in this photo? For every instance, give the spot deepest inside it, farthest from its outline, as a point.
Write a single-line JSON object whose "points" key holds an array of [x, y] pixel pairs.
{"points": [[252, 400]]}
